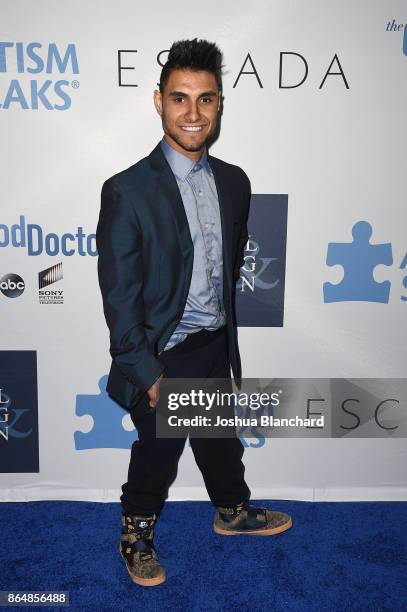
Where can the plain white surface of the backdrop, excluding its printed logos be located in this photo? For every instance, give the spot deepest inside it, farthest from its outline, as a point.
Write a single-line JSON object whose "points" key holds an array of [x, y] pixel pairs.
{"points": [[336, 152]]}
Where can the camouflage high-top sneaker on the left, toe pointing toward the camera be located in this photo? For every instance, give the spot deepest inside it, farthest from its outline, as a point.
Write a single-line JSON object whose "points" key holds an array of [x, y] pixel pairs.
{"points": [[137, 550]]}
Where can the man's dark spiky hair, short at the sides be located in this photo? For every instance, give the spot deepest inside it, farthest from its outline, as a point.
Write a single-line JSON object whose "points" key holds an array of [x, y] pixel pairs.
{"points": [[193, 55]]}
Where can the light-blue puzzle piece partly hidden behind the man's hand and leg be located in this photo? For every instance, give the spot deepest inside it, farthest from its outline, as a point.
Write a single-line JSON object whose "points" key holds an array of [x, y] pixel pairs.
{"points": [[108, 430]]}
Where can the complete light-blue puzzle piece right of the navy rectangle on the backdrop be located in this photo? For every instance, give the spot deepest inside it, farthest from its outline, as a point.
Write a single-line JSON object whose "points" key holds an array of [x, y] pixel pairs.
{"points": [[358, 259]]}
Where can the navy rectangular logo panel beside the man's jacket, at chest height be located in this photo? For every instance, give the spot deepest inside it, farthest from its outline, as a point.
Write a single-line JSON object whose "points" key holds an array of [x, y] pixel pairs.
{"points": [[260, 290]]}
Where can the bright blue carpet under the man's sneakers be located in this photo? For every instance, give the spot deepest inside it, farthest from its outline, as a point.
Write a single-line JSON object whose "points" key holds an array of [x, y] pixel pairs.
{"points": [[337, 556]]}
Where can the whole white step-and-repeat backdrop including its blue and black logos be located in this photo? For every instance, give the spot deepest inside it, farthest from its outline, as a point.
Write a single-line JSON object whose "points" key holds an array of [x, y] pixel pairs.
{"points": [[314, 112]]}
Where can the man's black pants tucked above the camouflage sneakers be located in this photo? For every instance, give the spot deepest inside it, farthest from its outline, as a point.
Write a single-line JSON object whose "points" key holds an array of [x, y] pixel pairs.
{"points": [[154, 461]]}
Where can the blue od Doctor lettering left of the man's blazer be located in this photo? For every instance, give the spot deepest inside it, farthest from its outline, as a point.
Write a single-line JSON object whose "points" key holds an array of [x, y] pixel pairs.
{"points": [[31, 236]]}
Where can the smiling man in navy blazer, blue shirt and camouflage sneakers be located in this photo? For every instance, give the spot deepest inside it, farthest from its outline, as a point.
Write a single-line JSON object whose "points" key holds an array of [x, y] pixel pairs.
{"points": [[171, 234]]}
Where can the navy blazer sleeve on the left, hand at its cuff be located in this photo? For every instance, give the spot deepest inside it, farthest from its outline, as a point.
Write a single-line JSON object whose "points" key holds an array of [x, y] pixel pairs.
{"points": [[120, 272]]}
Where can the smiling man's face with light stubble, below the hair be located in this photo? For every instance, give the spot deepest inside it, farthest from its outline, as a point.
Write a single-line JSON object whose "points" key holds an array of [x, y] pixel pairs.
{"points": [[189, 109]]}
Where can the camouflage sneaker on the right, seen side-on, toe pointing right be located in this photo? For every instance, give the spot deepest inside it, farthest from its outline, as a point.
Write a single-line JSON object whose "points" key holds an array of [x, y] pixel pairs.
{"points": [[243, 519]]}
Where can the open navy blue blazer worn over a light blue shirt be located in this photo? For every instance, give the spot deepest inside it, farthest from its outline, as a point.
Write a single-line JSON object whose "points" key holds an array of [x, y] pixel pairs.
{"points": [[145, 265]]}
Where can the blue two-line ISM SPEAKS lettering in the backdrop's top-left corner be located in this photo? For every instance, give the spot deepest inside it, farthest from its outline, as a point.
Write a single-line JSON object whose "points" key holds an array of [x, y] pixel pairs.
{"points": [[34, 58]]}
